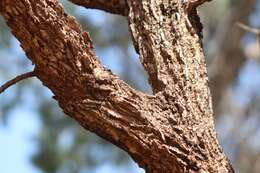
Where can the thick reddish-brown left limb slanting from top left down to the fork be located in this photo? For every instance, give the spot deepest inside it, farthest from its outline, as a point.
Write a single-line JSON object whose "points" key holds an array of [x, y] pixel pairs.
{"points": [[85, 90]]}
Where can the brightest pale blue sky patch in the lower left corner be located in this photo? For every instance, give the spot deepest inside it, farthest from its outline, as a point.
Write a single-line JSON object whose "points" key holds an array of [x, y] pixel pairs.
{"points": [[16, 147]]}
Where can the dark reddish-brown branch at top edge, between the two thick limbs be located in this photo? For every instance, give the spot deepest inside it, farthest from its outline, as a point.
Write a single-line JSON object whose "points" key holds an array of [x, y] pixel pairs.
{"points": [[111, 6]]}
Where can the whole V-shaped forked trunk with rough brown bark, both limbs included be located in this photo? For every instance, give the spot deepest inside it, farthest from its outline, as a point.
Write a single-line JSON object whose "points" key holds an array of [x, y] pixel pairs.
{"points": [[171, 131]]}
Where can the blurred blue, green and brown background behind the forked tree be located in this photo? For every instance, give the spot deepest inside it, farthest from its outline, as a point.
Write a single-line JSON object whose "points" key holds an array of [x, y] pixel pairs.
{"points": [[36, 137]]}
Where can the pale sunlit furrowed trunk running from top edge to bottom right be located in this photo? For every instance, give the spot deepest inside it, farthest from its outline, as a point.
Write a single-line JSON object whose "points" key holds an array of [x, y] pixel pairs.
{"points": [[167, 36]]}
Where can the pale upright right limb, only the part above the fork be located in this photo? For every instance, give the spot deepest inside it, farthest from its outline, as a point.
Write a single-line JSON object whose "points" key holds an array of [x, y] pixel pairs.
{"points": [[162, 57]]}
